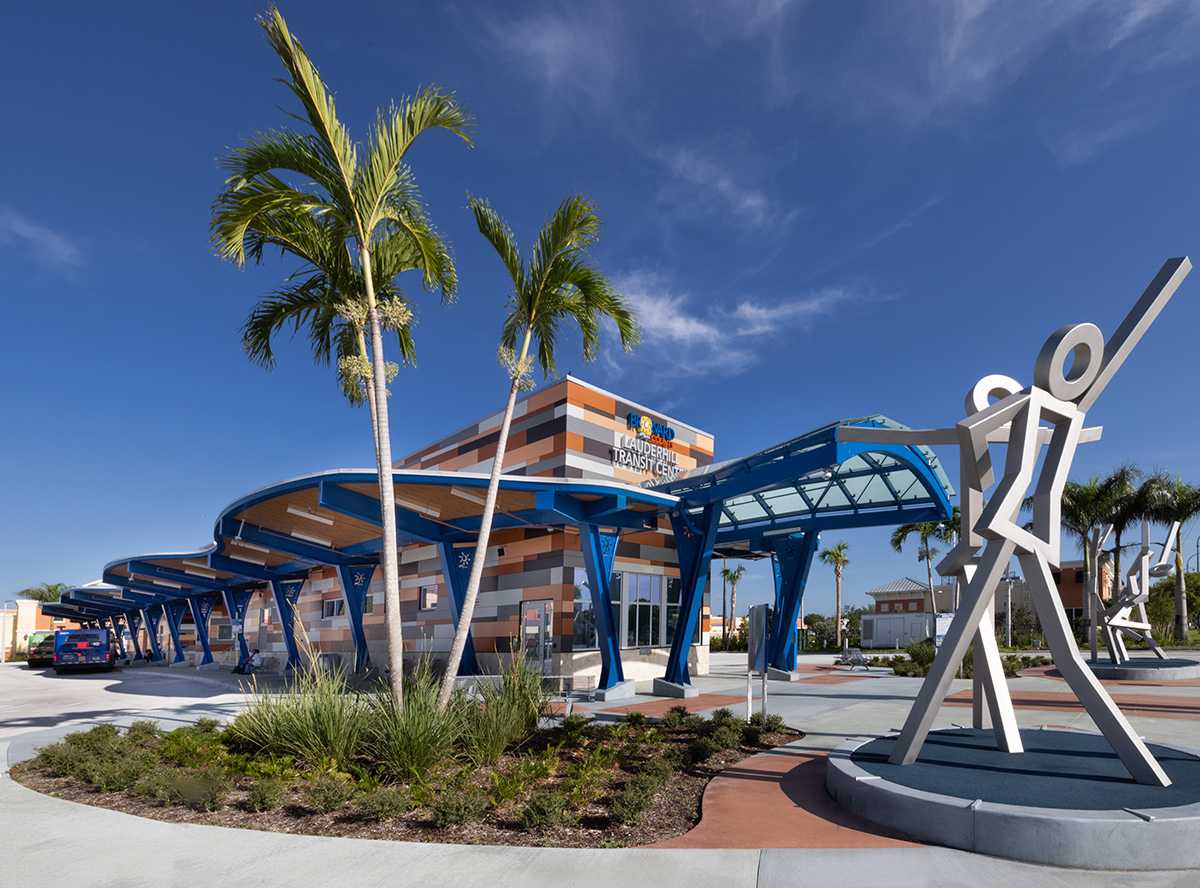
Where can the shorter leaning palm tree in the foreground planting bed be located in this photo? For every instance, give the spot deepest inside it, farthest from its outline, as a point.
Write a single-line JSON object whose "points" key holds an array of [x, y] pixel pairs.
{"points": [[557, 286]]}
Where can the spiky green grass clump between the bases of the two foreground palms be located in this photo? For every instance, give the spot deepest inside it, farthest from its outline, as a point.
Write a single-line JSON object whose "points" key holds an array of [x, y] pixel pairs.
{"points": [[410, 743]]}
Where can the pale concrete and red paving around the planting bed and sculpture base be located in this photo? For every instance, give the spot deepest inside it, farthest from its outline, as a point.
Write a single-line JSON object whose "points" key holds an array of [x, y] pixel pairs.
{"points": [[766, 823]]}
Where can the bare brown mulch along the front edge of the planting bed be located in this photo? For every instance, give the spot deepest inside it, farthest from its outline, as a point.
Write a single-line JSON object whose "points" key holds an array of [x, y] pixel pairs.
{"points": [[674, 812]]}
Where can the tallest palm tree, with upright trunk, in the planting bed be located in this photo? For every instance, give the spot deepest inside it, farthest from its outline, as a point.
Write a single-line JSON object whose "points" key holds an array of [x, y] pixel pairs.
{"points": [[356, 224]]}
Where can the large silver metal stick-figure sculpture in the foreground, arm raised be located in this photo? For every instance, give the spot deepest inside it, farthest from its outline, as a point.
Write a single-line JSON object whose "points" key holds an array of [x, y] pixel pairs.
{"points": [[992, 535]]}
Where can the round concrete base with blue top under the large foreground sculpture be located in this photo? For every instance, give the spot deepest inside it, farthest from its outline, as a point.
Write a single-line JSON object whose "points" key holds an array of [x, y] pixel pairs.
{"points": [[1067, 801]]}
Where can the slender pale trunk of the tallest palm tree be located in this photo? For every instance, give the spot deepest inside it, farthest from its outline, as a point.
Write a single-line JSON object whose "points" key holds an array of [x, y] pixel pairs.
{"points": [[393, 622]]}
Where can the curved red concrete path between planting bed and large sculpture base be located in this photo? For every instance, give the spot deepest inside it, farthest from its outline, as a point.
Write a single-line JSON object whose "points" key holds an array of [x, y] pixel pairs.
{"points": [[779, 801]]}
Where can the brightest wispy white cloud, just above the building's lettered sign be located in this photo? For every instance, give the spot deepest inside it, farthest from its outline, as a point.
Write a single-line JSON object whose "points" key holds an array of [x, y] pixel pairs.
{"points": [[721, 339]]}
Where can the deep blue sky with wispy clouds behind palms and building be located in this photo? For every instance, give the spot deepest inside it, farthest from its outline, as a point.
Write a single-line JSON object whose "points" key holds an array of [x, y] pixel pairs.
{"points": [[821, 211]]}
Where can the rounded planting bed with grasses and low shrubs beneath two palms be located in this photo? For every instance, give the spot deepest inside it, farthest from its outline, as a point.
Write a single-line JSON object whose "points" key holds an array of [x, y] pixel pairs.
{"points": [[329, 761]]}
